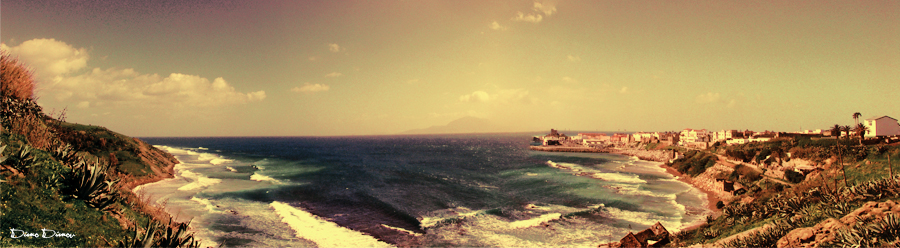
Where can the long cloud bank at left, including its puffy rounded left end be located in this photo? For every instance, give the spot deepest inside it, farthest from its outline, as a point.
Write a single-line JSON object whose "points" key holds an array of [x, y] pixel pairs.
{"points": [[120, 87]]}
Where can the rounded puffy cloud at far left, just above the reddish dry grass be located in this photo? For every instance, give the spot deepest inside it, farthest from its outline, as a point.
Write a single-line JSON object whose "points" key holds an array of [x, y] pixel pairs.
{"points": [[49, 57]]}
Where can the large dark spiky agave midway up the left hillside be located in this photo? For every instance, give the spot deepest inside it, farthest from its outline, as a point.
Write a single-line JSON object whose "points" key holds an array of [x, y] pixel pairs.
{"points": [[88, 182]]}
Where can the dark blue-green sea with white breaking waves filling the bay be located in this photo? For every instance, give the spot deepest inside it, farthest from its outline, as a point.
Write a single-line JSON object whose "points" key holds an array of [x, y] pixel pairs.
{"points": [[426, 190]]}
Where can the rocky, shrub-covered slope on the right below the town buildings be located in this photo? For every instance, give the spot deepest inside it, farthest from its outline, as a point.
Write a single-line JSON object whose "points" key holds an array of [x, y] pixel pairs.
{"points": [[799, 192]]}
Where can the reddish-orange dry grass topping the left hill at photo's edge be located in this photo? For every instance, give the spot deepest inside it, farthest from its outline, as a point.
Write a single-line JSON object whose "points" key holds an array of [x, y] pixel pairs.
{"points": [[17, 80]]}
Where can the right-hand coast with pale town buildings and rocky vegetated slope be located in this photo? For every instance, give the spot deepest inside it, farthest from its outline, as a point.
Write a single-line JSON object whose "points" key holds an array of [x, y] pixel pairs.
{"points": [[743, 172]]}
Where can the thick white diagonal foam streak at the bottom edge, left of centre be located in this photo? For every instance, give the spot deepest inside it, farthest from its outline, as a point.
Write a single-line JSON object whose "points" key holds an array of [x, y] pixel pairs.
{"points": [[322, 232]]}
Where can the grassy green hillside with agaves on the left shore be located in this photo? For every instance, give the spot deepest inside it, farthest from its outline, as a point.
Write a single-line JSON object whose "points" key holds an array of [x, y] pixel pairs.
{"points": [[74, 179]]}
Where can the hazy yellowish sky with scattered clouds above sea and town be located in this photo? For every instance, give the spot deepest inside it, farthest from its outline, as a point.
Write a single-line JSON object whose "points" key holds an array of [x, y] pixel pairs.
{"points": [[333, 68]]}
